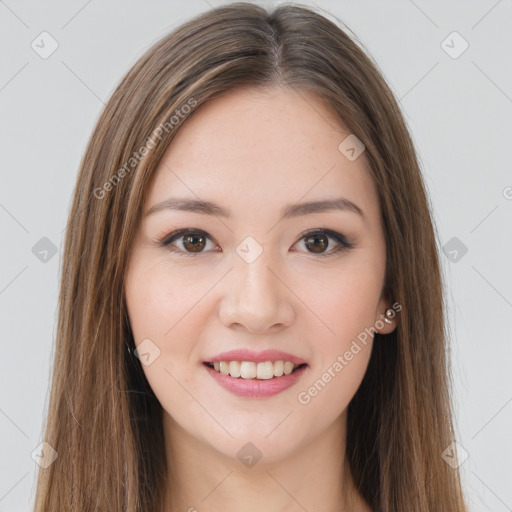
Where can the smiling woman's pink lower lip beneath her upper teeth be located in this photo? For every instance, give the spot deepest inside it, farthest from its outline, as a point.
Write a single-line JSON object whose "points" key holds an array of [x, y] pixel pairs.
{"points": [[256, 388]]}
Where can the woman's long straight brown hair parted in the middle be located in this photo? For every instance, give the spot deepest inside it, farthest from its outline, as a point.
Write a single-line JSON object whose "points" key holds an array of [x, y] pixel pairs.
{"points": [[103, 420]]}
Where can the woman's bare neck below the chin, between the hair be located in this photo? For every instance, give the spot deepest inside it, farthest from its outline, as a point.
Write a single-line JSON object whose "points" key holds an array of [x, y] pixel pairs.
{"points": [[313, 477]]}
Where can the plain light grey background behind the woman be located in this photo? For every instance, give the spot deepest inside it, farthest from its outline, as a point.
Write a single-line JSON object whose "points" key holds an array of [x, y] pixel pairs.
{"points": [[458, 110]]}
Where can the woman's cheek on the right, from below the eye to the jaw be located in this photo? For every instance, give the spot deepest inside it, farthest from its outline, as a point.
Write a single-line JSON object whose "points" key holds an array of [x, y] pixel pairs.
{"points": [[345, 301]]}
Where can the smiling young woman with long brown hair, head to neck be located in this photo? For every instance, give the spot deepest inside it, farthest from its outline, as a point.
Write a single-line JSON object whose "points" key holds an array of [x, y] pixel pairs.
{"points": [[251, 308]]}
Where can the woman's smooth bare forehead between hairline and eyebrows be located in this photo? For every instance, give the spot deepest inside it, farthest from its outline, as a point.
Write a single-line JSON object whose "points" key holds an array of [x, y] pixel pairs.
{"points": [[262, 148]]}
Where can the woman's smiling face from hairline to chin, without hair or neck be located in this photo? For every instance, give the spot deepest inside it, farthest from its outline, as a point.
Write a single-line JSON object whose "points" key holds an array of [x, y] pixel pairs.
{"points": [[244, 275]]}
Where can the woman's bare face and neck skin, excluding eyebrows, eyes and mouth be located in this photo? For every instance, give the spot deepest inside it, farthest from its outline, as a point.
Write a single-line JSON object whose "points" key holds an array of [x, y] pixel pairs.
{"points": [[253, 153]]}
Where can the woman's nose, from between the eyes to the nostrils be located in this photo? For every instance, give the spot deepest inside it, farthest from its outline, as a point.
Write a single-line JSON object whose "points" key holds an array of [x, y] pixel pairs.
{"points": [[255, 296]]}
